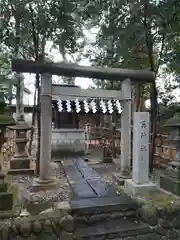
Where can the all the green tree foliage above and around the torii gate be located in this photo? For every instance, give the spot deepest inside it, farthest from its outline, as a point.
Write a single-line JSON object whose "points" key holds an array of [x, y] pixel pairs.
{"points": [[132, 34]]}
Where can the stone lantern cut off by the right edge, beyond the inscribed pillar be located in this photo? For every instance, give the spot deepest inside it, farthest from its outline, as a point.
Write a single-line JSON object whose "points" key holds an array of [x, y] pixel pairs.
{"points": [[170, 180]]}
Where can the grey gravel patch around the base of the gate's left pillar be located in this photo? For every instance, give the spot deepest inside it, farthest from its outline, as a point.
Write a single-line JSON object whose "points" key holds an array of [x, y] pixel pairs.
{"points": [[62, 194]]}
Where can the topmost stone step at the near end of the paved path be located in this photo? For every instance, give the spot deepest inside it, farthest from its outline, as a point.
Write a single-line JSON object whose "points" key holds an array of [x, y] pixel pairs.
{"points": [[102, 205]]}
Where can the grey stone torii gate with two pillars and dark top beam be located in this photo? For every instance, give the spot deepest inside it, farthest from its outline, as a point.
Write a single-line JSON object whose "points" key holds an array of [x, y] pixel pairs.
{"points": [[46, 70]]}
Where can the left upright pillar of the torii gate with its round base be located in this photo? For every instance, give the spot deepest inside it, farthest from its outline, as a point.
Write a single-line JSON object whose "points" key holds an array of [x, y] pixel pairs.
{"points": [[45, 180]]}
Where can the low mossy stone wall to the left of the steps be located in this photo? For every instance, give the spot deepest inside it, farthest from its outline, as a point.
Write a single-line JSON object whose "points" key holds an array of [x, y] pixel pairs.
{"points": [[51, 224]]}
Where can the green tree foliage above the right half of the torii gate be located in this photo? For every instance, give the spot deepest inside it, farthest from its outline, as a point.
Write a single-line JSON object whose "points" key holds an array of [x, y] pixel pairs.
{"points": [[134, 34]]}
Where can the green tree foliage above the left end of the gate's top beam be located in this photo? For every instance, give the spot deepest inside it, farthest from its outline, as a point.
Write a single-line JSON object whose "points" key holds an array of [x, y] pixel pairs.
{"points": [[38, 22]]}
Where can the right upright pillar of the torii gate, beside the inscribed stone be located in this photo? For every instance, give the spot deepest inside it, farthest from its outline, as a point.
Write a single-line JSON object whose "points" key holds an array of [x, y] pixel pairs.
{"points": [[126, 130]]}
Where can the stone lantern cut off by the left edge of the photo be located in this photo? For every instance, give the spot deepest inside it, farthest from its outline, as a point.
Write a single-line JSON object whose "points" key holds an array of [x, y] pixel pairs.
{"points": [[6, 198]]}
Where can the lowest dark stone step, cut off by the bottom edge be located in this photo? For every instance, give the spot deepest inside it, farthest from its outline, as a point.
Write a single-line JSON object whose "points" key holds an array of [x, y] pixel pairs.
{"points": [[112, 229]]}
